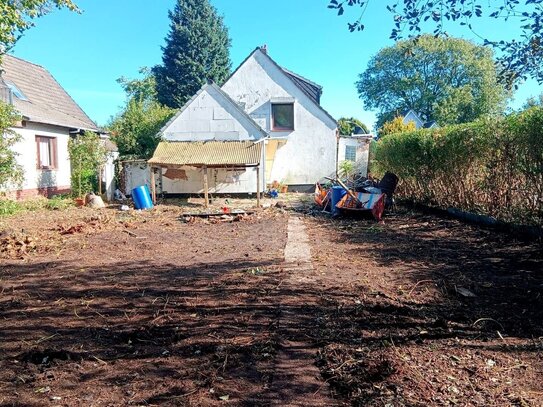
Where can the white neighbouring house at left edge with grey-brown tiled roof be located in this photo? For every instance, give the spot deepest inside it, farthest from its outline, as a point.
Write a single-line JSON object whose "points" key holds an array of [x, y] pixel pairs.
{"points": [[49, 118]]}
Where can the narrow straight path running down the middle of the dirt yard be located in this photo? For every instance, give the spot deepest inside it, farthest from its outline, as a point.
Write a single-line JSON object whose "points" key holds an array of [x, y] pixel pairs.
{"points": [[296, 380]]}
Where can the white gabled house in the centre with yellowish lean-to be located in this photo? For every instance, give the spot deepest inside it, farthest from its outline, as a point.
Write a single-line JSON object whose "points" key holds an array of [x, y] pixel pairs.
{"points": [[261, 105]]}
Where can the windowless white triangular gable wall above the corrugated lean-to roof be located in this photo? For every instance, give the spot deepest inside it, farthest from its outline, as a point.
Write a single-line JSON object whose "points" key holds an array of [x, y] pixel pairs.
{"points": [[210, 116]]}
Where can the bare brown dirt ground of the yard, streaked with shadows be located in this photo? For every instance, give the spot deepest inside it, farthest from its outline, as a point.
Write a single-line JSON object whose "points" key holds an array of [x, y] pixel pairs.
{"points": [[105, 308]]}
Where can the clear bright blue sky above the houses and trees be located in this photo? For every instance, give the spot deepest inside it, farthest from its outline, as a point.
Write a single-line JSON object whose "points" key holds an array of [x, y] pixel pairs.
{"points": [[112, 38]]}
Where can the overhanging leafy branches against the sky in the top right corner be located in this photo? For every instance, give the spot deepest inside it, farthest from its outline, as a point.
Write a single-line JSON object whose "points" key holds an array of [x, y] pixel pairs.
{"points": [[520, 56]]}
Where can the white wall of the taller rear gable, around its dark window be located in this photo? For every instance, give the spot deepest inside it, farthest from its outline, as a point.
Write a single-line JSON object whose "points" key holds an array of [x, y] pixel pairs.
{"points": [[310, 152]]}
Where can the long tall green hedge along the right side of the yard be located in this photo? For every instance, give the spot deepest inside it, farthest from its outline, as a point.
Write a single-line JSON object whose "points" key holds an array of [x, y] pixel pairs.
{"points": [[490, 167]]}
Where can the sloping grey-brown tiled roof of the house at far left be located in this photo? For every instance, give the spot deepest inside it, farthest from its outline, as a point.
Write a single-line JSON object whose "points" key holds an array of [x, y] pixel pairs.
{"points": [[39, 97]]}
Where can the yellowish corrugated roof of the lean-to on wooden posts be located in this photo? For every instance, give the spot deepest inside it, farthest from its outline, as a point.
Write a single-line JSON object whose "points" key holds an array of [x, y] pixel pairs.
{"points": [[209, 153]]}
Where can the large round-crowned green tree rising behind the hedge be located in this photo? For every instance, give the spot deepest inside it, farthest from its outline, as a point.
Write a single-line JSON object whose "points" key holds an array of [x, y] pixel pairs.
{"points": [[448, 80]]}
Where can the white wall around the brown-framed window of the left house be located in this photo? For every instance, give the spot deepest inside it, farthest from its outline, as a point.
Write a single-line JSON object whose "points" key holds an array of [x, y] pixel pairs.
{"points": [[27, 150]]}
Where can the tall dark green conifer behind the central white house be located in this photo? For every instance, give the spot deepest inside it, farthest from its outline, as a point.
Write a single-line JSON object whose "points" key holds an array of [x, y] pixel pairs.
{"points": [[196, 51]]}
